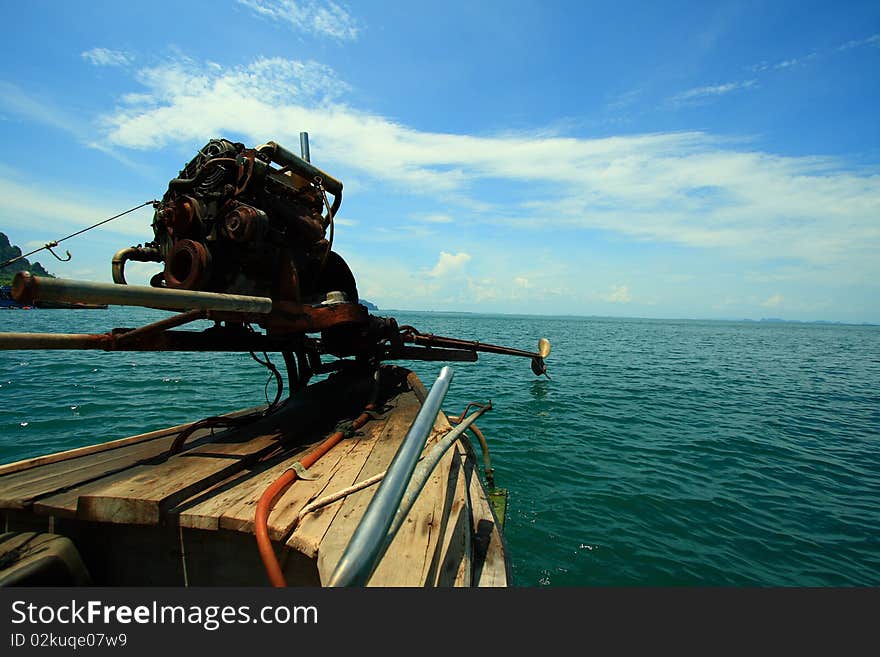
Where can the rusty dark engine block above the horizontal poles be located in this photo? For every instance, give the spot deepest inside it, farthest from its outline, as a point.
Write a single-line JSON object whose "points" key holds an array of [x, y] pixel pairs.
{"points": [[232, 222]]}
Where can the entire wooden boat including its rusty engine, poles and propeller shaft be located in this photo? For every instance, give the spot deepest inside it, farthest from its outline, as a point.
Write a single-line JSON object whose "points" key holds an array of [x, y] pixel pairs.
{"points": [[323, 489]]}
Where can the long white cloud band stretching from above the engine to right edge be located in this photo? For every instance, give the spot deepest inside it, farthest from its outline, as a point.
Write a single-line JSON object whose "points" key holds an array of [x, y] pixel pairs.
{"points": [[685, 188]]}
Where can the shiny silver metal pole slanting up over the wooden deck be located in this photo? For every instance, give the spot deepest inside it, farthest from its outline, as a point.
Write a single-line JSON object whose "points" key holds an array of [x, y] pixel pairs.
{"points": [[362, 553]]}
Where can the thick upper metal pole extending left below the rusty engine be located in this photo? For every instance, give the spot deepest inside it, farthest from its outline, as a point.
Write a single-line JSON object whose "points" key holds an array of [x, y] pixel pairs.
{"points": [[27, 288]]}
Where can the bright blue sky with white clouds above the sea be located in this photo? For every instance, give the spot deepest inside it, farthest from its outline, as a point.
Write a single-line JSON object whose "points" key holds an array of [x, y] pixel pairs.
{"points": [[675, 159]]}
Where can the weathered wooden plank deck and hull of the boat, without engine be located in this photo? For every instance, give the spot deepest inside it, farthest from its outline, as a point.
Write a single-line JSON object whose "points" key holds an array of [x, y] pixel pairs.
{"points": [[138, 515]]}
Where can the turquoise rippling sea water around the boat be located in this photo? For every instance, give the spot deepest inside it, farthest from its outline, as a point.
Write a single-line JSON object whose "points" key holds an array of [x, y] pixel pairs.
{"points": [[662, 452]]}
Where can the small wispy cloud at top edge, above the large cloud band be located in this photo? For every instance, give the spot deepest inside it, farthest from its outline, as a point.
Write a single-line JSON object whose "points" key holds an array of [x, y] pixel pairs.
{"points": [[310, 16]]}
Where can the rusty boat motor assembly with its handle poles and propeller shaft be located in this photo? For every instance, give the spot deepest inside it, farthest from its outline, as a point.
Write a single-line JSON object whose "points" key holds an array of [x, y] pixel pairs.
{"points": [[254, 228]]}
